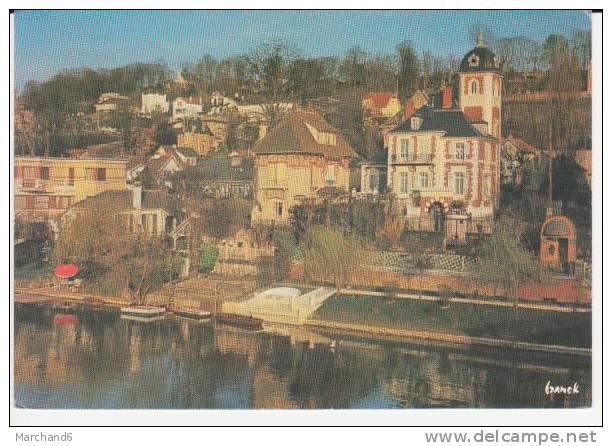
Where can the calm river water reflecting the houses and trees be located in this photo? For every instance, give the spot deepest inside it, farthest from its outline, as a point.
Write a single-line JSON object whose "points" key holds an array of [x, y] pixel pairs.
{"points": [[96, 359]]}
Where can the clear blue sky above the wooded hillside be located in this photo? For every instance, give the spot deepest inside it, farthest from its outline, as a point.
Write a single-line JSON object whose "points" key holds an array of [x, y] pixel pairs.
{"points": [[48, 41]]}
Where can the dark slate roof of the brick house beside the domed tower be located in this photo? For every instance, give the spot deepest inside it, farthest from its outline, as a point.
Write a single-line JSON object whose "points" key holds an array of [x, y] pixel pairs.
{"points": [[450, 121]]}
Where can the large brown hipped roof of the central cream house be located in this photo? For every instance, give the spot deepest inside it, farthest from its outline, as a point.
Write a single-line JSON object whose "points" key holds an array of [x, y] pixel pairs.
{"points": [[292, 135]]}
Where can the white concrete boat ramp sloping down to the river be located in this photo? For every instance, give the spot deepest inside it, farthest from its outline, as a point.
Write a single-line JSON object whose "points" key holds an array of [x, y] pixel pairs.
{"points": [[284, 305]]}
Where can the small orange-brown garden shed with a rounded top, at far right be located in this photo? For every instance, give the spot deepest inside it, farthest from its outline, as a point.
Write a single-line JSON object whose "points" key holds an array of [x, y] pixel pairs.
{"points": [[558, 243]]}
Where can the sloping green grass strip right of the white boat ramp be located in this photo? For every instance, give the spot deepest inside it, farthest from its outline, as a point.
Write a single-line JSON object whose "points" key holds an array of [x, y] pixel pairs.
{"points": [[512, 324]]}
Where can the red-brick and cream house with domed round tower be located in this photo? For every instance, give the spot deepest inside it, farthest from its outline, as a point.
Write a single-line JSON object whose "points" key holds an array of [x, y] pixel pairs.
{"points": [[443, 168]]}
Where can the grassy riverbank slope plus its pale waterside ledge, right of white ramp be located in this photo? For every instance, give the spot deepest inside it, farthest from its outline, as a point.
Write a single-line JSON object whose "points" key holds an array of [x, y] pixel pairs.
{"points": [[462, 322]]}
